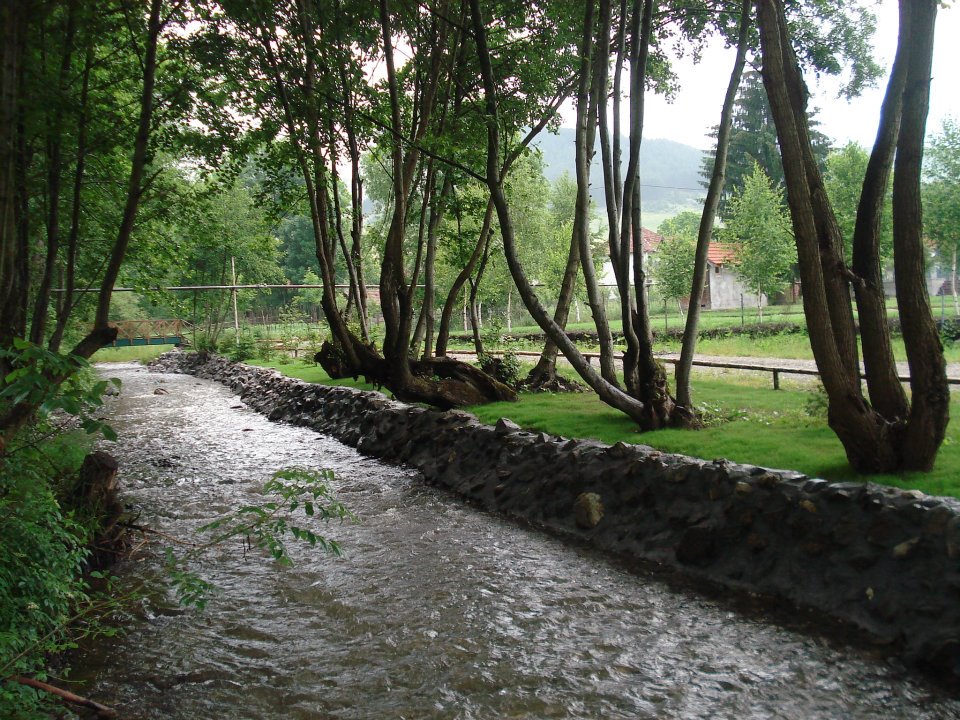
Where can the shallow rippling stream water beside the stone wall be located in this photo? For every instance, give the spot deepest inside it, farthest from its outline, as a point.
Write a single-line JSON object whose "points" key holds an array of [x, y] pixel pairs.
{"points": [[438, 610]]}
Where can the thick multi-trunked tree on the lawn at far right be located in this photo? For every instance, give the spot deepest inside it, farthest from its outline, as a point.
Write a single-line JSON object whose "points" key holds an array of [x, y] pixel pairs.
{"points": [[887, 433]]}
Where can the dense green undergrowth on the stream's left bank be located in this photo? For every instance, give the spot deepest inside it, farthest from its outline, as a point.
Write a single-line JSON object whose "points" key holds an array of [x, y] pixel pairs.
{"points": [[43, 594]]}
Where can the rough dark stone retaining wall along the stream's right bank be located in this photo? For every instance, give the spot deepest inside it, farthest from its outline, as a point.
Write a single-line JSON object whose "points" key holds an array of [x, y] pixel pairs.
{"points": [[883, 560]]}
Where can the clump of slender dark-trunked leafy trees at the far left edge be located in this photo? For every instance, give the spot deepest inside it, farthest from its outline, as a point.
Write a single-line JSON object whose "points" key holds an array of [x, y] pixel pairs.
{"points": [[124, 42]]}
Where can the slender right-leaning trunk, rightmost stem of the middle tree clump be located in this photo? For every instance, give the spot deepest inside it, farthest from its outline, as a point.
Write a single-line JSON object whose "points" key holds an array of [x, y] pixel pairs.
{"points": [[711, 204]]}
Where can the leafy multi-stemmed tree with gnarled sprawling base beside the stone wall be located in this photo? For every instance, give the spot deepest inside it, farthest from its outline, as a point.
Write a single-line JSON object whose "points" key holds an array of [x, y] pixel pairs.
{"points": [[297, 50]]}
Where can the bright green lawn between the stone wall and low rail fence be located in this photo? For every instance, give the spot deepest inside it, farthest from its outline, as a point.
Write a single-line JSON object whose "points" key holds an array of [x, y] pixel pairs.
{"points": [[748, 422]]}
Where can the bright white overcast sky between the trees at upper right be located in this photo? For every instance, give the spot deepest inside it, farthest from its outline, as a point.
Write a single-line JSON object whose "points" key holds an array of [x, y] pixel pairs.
{"points": [[697, 106]]}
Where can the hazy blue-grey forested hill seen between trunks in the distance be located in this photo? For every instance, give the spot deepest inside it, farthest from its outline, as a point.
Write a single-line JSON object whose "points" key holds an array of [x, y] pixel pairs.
{"points": [[669, 171]]}
